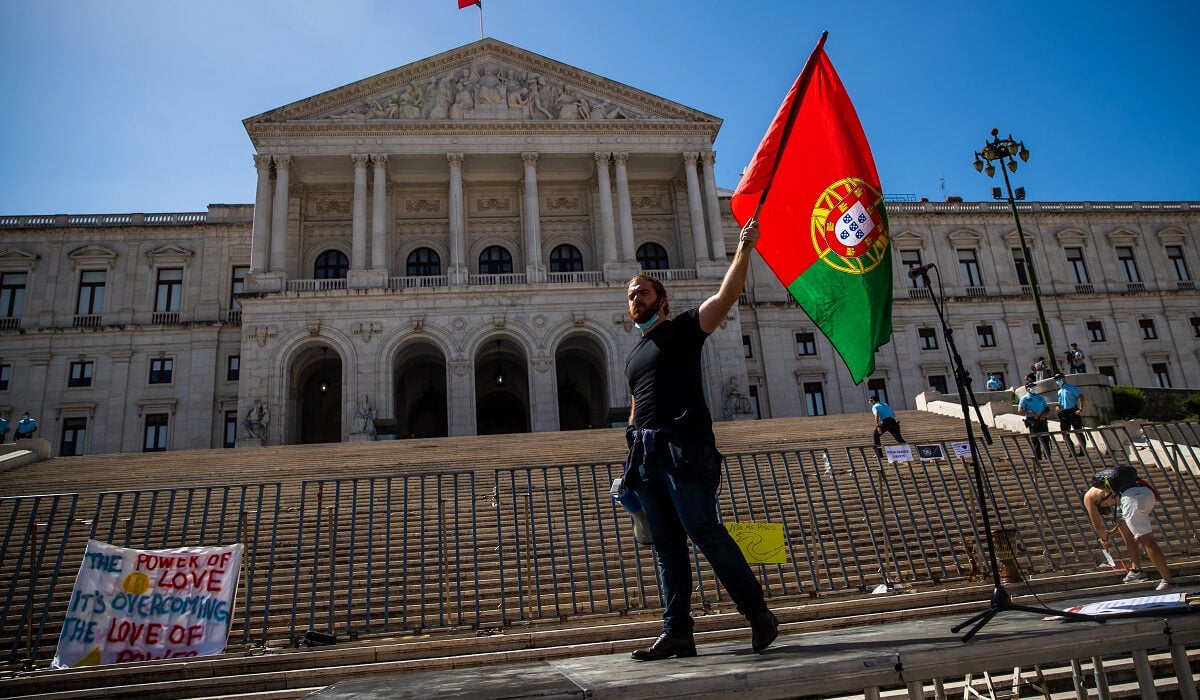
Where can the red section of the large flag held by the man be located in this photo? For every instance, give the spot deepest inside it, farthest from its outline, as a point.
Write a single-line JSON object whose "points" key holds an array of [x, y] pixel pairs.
{"points": [[814, 141]]}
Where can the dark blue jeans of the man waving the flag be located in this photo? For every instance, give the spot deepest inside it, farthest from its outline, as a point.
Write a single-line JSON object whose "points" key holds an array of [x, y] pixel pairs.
{"points": [[682, 508]]}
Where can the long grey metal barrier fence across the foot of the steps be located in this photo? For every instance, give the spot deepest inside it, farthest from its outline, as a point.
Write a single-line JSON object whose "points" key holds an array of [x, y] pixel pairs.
{"points": [[418, 552]]}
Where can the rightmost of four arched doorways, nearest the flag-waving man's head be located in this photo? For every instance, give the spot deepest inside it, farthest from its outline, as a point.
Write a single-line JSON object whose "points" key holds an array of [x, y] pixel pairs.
{"points": [[583, 398]]}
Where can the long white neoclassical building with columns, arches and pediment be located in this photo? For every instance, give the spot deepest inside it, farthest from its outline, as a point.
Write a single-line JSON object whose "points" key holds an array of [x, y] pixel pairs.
{"points": [[443, 250]]}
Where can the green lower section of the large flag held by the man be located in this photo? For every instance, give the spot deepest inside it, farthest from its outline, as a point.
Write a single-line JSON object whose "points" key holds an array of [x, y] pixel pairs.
{"points": [[854, 312]]}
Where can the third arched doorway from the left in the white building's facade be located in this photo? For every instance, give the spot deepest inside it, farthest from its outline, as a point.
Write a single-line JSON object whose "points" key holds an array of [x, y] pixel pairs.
{"points": [[501, 390]]}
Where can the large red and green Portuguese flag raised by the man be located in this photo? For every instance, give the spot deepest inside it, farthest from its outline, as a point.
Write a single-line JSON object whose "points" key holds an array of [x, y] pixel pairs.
{"points": [[815, 192]]}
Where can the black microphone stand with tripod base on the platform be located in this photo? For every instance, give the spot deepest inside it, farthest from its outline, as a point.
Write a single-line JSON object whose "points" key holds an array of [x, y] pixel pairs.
{"points": [[1001, 600]]}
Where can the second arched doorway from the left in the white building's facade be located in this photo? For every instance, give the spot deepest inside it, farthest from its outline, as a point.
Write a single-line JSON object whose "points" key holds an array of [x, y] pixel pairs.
{"points": [[421, 393]]}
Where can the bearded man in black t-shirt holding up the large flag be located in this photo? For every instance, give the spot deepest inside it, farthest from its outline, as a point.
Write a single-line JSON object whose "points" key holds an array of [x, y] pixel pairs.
{"points": [[674, 465]]}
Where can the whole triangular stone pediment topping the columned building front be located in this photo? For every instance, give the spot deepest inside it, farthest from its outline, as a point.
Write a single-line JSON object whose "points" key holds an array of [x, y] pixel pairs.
{"points": [[487, 83]]}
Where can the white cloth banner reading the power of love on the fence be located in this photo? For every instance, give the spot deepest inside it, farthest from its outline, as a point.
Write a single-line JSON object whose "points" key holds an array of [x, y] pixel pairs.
{"points": [[136, 606]]}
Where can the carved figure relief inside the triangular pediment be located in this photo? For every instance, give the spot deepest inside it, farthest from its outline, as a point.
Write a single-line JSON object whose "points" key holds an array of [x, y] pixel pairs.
{"points": [[488, 91]]}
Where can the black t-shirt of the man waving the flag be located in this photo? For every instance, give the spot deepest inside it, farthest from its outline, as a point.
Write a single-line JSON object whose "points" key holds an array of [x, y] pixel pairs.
{"points": [[664, 373]]}
